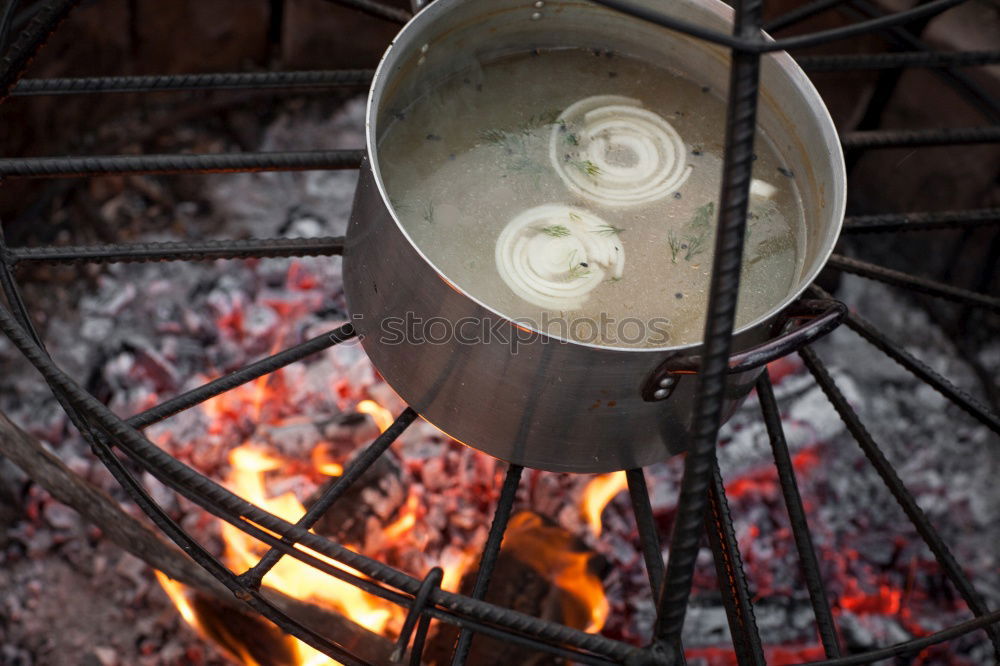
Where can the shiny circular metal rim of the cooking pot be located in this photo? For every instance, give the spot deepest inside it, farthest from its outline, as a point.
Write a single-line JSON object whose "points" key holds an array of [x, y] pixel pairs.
{"points": [[781, 58]]}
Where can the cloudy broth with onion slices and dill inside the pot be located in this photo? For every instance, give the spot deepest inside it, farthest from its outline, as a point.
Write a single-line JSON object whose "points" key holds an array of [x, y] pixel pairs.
{"points": [[577, 193]]}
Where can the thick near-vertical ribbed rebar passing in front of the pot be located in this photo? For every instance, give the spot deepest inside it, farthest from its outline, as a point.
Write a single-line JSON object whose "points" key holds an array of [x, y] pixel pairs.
{"points": [[720, 318]]}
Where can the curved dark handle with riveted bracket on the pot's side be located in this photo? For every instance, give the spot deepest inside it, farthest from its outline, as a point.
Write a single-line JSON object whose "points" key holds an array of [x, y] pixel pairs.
{"points": [[815, 318]]}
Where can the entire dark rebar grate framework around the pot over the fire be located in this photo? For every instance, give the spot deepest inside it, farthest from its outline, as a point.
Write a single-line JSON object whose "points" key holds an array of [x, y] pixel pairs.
{"points": [[702, 504]]}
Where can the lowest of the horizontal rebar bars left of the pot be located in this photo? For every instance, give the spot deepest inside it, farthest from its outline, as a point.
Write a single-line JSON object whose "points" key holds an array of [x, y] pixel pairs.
{"points": [[180, 251]]}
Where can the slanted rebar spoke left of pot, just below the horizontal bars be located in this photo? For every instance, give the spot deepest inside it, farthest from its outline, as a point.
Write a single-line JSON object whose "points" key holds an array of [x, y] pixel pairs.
{"points": [[244, 375]]}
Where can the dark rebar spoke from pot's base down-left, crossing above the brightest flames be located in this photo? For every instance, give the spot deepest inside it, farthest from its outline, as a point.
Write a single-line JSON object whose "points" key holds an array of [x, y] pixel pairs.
{"points": [[253, 576]]}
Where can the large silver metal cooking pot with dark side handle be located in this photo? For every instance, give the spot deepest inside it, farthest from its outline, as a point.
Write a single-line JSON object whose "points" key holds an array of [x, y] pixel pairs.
{"points": [[521, 395]]}
